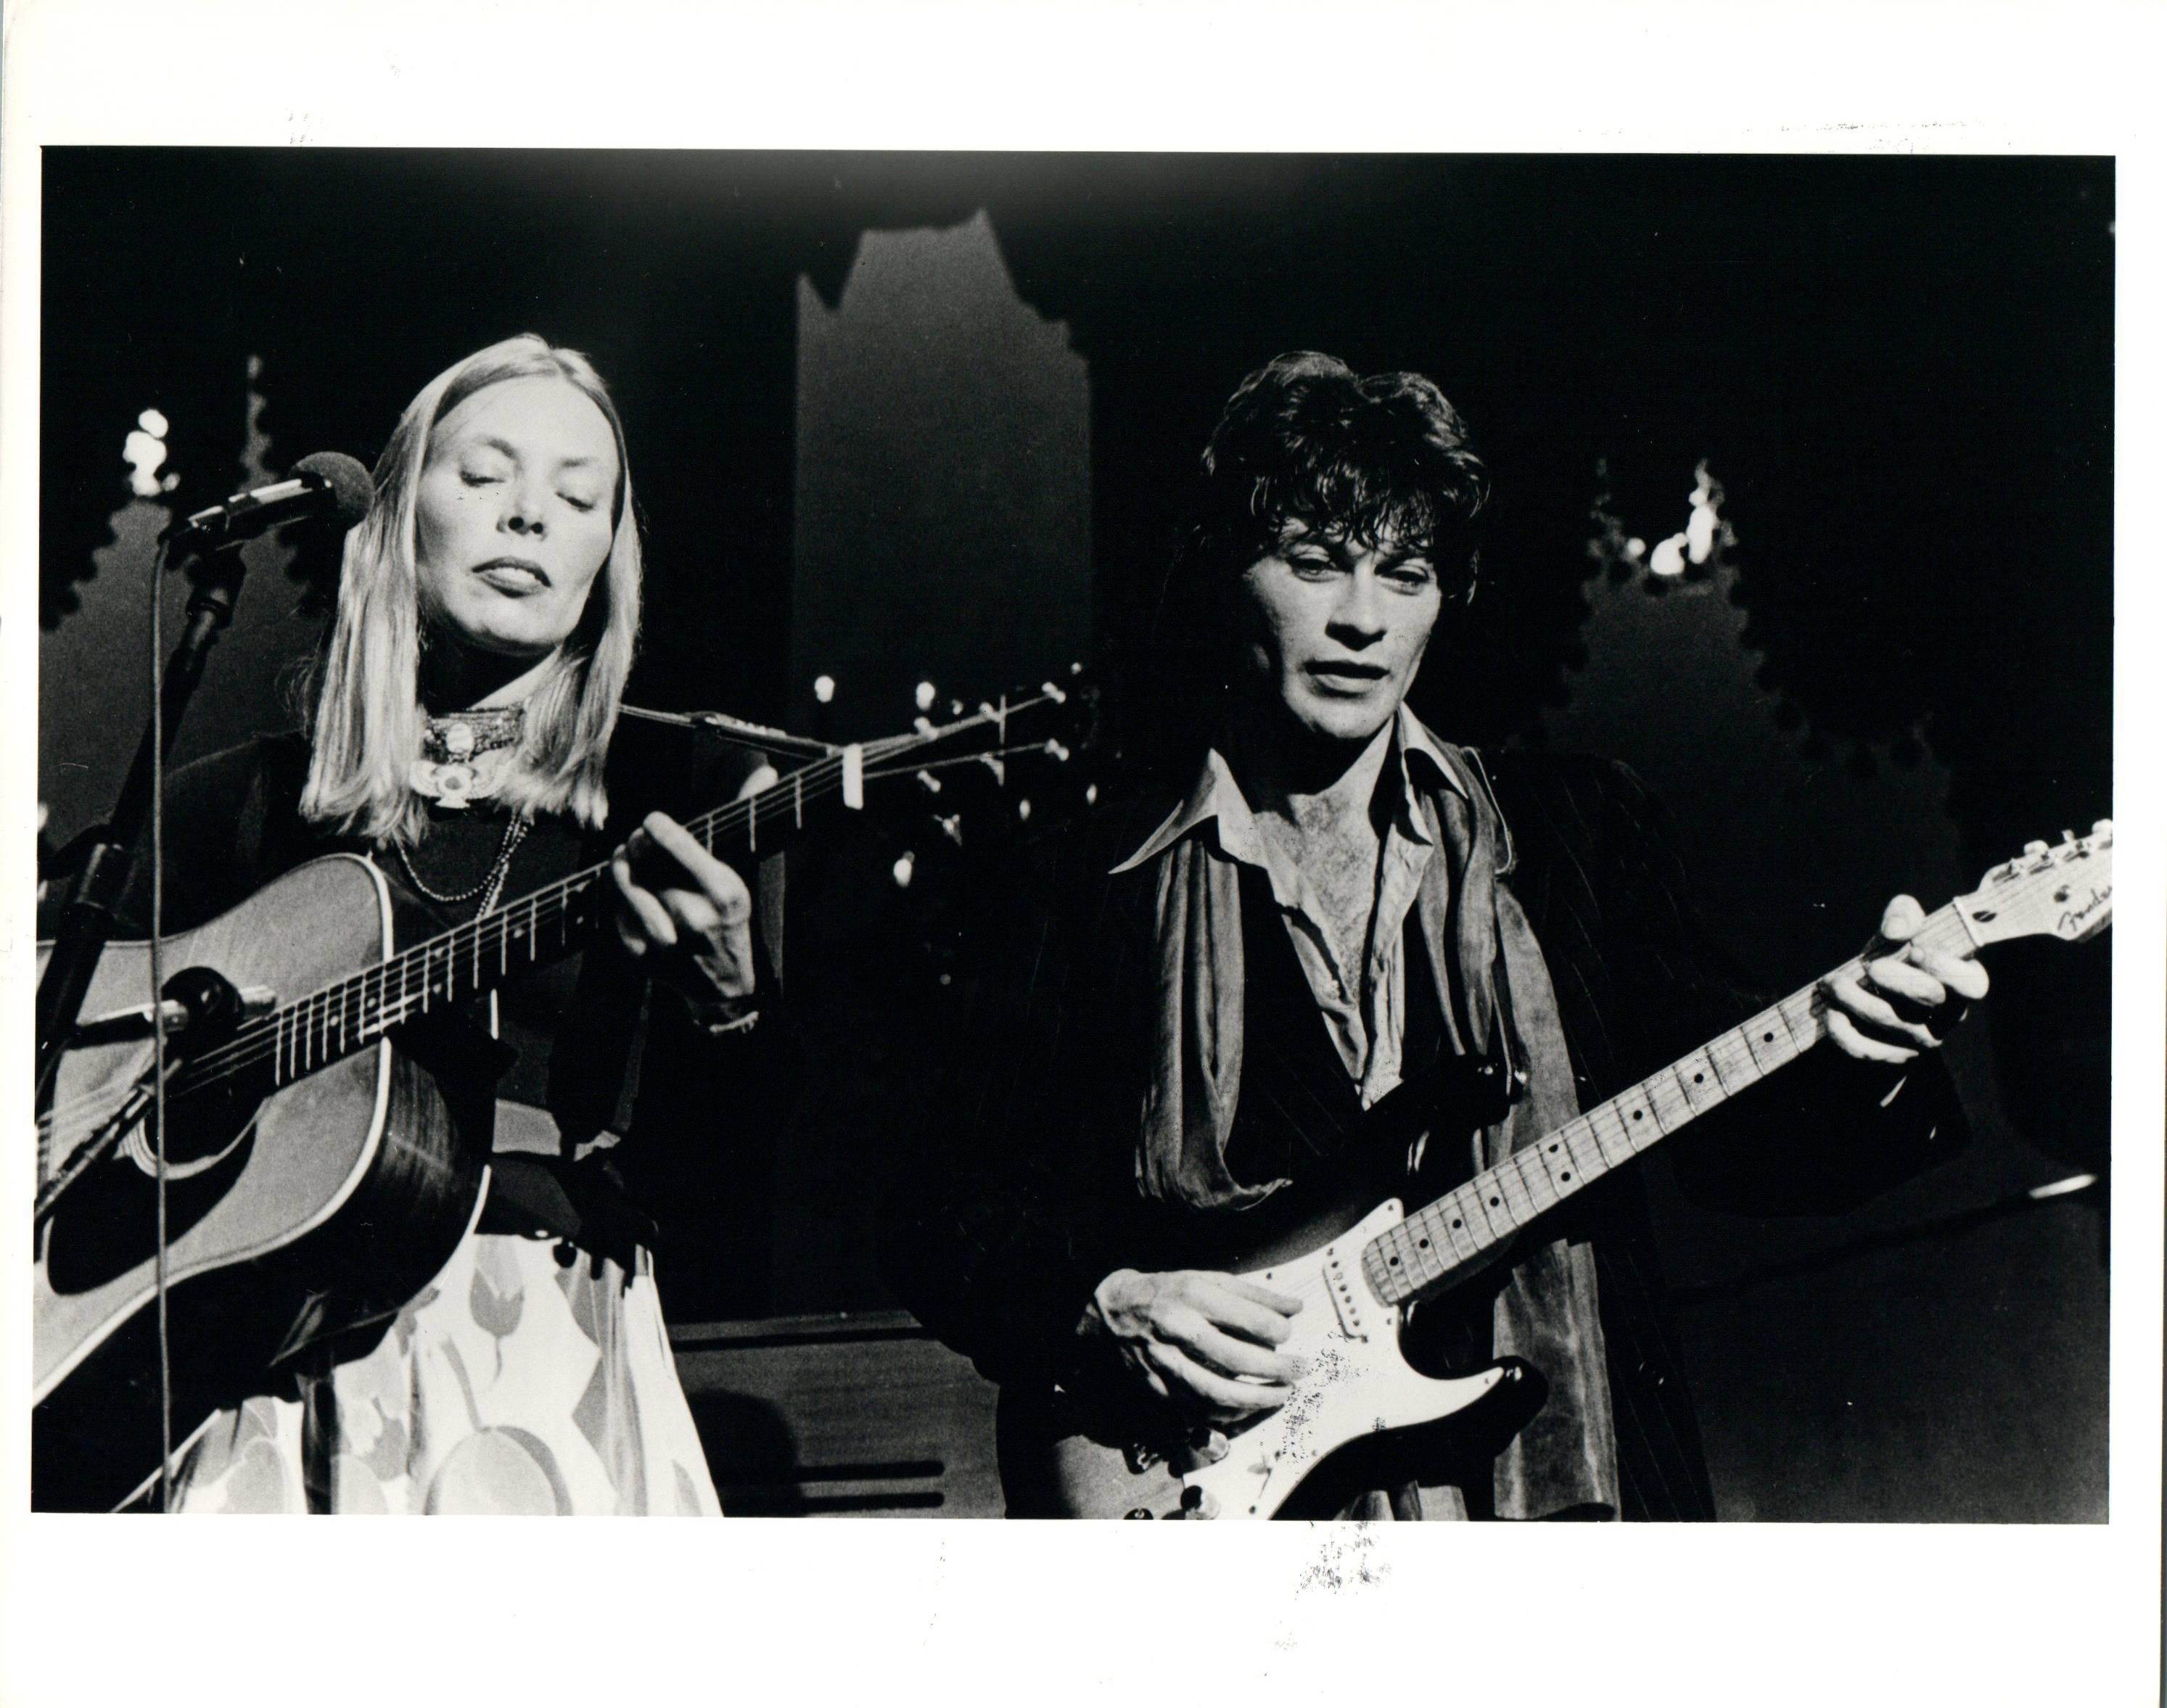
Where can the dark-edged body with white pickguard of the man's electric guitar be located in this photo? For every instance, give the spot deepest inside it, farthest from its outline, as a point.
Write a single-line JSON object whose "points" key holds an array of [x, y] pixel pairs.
{"points": [[1342, 1429]]}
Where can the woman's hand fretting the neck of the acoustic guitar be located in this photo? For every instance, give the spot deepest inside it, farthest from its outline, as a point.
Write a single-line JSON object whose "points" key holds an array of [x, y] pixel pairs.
{"points": [[686, 916]]}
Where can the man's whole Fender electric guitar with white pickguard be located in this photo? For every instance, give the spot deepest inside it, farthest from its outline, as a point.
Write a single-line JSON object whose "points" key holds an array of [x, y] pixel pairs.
{"points": [[1360, 1265]]}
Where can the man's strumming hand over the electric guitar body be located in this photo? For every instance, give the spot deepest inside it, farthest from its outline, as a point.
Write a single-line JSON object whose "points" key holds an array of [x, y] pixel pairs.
{"points": [[1199, 1341]]}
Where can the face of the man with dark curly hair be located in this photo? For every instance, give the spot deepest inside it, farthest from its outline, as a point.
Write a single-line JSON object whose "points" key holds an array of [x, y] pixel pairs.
{"points": [[1334, 632]]}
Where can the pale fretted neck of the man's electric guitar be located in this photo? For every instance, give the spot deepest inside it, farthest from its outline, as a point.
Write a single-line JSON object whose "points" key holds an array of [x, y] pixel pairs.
{"points": [[1490, 1211]]}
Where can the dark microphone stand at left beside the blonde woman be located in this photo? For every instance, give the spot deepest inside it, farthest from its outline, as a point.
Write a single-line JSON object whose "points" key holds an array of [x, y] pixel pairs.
{"points": [[88, 920]]}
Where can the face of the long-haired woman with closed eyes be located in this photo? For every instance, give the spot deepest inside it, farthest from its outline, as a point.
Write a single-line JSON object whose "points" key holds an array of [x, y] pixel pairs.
{"points": [[515, 515]]}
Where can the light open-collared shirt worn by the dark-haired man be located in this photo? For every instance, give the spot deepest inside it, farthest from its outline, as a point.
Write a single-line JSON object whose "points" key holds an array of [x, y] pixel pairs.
{"points": [[1364, 1007]]}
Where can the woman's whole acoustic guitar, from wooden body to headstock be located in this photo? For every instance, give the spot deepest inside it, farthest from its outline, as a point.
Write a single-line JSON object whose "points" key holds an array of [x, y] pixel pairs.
{"points": [[309, 1156]]}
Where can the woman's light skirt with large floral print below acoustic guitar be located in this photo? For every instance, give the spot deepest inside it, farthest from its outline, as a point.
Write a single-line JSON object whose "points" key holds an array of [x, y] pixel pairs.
{"points": [[512, 1384]]}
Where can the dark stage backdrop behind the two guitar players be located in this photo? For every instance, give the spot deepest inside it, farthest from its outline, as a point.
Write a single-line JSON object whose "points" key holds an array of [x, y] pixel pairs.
{"points": [[1891, 675]]}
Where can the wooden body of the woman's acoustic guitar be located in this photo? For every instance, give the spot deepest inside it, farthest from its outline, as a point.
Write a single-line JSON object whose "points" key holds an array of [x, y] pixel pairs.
{"points": [[352, 1185]]}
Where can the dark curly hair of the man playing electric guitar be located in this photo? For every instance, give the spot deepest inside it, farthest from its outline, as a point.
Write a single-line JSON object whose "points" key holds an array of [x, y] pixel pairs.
{"points": [[1310, 441]]}
